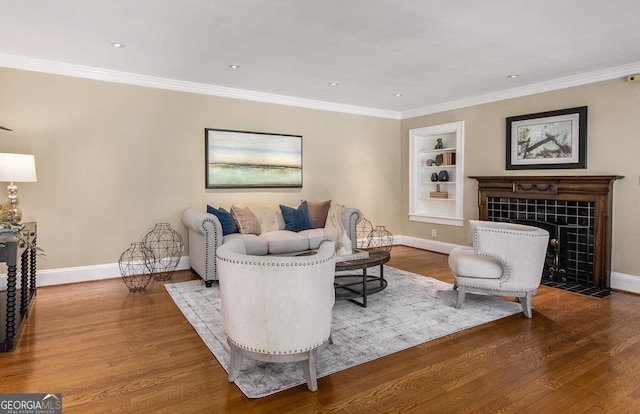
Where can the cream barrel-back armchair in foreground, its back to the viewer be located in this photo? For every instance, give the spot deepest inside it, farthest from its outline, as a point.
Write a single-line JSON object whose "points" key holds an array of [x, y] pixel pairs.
{"points": [[276, 309]]}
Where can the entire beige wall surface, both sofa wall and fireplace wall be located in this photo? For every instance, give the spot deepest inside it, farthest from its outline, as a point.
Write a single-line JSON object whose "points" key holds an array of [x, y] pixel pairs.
{"points": [[115, 159]]}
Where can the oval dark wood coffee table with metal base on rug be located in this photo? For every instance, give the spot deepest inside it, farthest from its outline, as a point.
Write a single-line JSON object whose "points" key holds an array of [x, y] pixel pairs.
{"points": [[359, 285]]}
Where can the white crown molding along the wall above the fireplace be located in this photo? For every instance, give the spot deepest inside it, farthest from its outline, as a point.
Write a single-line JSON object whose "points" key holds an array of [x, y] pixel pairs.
{"points": [[552, 85]]}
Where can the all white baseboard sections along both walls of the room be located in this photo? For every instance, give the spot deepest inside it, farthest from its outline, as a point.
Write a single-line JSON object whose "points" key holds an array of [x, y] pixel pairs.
{"points": [[619, 281]]}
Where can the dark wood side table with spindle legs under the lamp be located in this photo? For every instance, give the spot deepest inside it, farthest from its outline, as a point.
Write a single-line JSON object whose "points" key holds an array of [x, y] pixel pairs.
{"points": [[14, 314]]}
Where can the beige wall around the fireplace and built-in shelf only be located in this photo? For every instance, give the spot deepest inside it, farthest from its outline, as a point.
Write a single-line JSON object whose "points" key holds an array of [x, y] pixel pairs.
{"points": [[613, 148]]}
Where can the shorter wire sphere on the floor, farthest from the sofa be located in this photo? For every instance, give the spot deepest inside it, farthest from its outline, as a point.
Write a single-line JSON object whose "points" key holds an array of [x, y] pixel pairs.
{"points": [[136, 265]]}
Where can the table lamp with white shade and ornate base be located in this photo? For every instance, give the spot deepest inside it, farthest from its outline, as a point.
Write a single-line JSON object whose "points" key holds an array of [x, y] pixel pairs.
{"points": [[16, 168]]}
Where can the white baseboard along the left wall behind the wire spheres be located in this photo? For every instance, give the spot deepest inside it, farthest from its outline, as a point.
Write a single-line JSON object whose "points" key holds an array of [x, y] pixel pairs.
{"points": [[67, 275]]}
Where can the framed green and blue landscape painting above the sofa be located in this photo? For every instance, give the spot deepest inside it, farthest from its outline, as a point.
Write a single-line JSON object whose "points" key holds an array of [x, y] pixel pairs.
{"points": [[245, 159]]}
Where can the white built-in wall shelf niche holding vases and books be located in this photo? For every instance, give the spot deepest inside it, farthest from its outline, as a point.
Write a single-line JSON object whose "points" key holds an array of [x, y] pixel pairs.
{"points": [[425, 152]]}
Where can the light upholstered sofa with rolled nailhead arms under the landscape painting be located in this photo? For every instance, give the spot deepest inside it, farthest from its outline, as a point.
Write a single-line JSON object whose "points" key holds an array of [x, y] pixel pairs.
{"points": [[205, 236]]}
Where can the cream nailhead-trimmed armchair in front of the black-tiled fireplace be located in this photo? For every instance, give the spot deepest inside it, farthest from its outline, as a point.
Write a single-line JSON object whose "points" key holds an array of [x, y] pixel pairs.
{"points": [[506, 259]]}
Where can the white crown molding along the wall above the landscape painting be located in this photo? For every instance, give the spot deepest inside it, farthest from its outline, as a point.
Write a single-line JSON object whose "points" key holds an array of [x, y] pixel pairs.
{"points": [[88, 72]]}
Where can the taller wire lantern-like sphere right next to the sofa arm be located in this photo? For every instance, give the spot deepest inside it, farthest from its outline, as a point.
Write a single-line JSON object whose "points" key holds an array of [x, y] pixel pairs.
{"points": [[166, 246]]}
